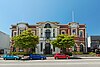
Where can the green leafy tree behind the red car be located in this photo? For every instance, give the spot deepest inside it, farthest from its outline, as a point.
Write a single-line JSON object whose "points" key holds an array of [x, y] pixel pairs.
{"points": [[63, 41]]}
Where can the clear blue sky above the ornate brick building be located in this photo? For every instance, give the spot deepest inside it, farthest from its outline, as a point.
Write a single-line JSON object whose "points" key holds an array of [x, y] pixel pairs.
{"points": [[32, 11]]}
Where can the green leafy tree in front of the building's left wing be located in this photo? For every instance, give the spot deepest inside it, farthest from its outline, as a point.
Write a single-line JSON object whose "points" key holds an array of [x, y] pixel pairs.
{"points": [[26, 40]]}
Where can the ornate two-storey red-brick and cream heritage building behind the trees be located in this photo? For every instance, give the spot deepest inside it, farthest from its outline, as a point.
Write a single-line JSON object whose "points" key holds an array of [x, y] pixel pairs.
{"points": [[48, 31]]}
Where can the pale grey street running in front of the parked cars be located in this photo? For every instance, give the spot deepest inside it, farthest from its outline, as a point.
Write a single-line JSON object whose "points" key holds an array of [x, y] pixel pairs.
{"points": [[53, 63]]}
